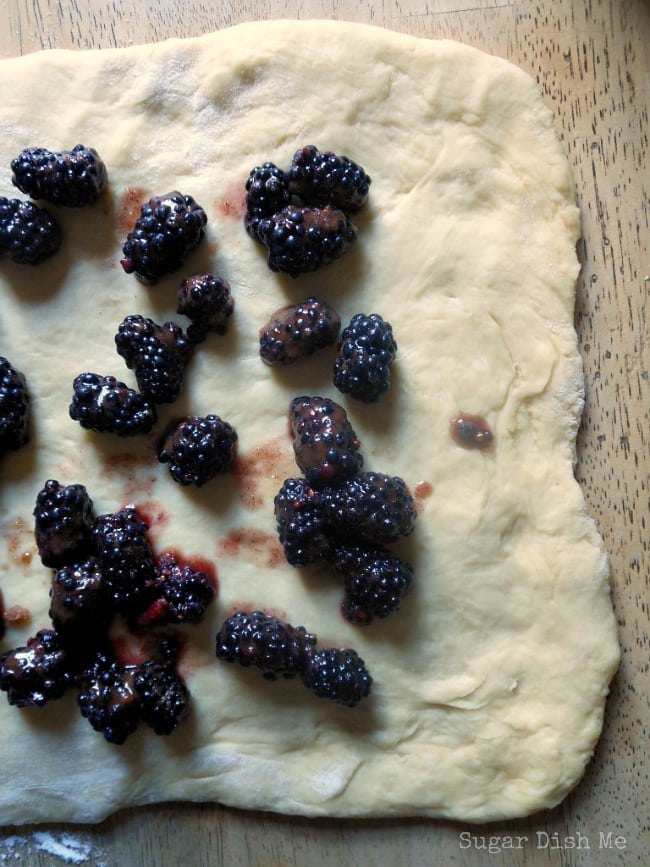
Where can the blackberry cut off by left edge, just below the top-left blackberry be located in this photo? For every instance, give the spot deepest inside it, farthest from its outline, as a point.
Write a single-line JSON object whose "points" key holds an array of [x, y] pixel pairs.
{"points": [[28, 234]]}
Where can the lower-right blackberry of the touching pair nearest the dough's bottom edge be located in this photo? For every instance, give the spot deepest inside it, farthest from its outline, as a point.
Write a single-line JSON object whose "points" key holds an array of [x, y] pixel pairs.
{"points": [[337, 674]]}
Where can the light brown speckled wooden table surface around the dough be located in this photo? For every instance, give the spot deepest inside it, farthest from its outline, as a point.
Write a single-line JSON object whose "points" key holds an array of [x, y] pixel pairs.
{"points": [[592, 61]]}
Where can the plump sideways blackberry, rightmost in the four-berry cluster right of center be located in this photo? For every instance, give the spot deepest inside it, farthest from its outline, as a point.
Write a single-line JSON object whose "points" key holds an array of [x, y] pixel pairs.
{"points": [[371, 507]]}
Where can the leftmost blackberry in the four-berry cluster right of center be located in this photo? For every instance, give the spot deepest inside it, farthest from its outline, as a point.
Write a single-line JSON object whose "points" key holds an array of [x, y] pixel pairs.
{"points": [[301, 523]]}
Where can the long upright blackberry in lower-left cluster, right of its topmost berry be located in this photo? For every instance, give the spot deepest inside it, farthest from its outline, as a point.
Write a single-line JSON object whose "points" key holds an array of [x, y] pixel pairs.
{"points": [[126, 558]]}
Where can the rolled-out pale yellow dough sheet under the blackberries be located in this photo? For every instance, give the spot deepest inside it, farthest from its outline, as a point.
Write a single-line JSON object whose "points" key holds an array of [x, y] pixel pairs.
{"points": [[490, 682]]}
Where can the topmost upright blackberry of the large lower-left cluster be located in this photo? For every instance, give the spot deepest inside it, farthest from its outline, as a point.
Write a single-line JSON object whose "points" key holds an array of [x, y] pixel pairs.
{"points": [[63, 519]]}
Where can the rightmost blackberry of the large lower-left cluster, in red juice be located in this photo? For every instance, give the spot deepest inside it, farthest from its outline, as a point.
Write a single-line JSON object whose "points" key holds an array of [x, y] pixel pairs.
{"points": [[183, 594]]}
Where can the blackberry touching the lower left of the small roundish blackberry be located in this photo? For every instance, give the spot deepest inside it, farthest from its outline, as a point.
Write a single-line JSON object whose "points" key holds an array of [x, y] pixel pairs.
{"points": [[156, 353]]}
